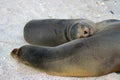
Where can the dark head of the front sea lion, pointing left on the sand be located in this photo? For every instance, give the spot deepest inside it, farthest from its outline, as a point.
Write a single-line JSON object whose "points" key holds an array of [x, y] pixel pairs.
{"points": [[28, 55]]}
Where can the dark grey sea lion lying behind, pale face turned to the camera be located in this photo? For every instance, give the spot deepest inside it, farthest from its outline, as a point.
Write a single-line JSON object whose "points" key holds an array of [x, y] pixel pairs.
{"points": [[53, 32]]}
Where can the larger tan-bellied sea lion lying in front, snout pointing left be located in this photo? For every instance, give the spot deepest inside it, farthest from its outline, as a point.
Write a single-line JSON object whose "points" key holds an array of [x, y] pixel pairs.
{"points": [[87, 57]]}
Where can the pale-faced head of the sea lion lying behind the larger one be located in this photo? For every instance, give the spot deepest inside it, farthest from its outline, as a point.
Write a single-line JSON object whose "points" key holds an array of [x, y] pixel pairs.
{"points": [[81, 30]]}
